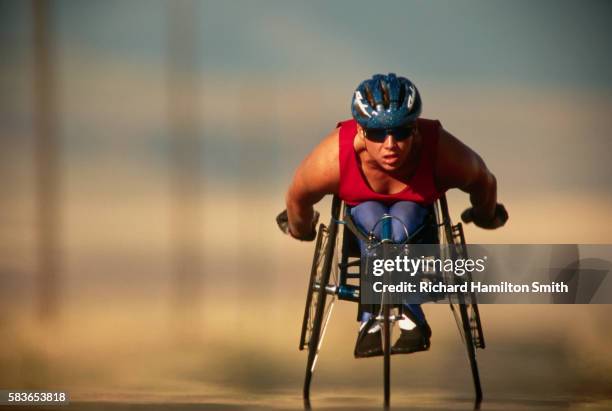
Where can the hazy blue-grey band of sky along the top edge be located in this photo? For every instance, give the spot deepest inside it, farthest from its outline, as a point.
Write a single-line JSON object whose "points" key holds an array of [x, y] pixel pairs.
{"points": [[562, 43]]}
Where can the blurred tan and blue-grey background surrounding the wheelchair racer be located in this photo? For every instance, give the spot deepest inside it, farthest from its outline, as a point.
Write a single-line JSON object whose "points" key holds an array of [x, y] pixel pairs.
{"points": [[145, 148]]}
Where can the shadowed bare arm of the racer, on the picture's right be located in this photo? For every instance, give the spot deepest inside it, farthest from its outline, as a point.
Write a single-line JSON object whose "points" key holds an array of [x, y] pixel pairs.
{"points": [[459, 167]]}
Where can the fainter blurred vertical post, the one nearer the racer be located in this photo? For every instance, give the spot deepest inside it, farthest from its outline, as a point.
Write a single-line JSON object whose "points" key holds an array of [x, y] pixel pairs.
{"points": [[186, 149]]}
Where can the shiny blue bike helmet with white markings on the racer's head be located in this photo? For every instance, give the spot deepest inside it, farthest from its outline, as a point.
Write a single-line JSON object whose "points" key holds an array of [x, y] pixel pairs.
{"points": [[386, 102]]}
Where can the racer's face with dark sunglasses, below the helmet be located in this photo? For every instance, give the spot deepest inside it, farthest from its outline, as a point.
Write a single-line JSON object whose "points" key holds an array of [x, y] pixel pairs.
{"points": [[389, 148]]}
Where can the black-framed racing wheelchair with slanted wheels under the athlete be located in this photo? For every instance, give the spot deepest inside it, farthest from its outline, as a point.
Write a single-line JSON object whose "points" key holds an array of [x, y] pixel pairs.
{"points": [[335, 275]]}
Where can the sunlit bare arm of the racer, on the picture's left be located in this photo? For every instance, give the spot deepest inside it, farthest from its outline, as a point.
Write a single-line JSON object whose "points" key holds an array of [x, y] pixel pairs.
{"points": [[318, 175]]}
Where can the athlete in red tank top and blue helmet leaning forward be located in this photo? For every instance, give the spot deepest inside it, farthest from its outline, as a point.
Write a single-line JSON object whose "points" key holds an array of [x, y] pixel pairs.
{"points": [[388, 160]]}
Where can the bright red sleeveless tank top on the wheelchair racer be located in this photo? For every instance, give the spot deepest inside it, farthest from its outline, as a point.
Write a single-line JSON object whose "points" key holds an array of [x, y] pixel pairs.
{"points": [[421, 188]]}
